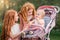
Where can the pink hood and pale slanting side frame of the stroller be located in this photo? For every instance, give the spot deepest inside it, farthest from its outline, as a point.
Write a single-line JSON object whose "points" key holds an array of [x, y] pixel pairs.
{"points": [[51, 24]]}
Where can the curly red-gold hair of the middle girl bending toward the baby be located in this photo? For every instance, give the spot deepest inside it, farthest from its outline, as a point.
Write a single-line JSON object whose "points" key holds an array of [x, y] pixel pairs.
{"points": [[23, 13]]}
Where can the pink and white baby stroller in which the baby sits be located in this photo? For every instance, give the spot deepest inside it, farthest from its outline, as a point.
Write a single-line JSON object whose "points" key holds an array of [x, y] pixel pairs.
{"points": [[34, 34]]}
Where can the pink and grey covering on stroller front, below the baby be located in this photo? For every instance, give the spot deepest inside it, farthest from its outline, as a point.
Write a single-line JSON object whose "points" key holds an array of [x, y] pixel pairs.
{"points": [[34, 31]]}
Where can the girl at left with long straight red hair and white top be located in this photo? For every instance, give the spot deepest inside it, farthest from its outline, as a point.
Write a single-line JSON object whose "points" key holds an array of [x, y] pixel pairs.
{"points": [[10, 27]]}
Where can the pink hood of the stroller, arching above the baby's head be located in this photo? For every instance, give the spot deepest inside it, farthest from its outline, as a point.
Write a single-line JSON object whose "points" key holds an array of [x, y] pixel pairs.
{"points": [[52, 9]]}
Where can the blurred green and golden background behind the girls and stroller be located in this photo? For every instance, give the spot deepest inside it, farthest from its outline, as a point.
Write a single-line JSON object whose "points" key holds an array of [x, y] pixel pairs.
{"points": [[17, 4]]}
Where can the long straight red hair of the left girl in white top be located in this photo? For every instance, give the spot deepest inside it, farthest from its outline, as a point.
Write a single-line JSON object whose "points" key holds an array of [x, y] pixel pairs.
{"points": [[8, 22]]}
